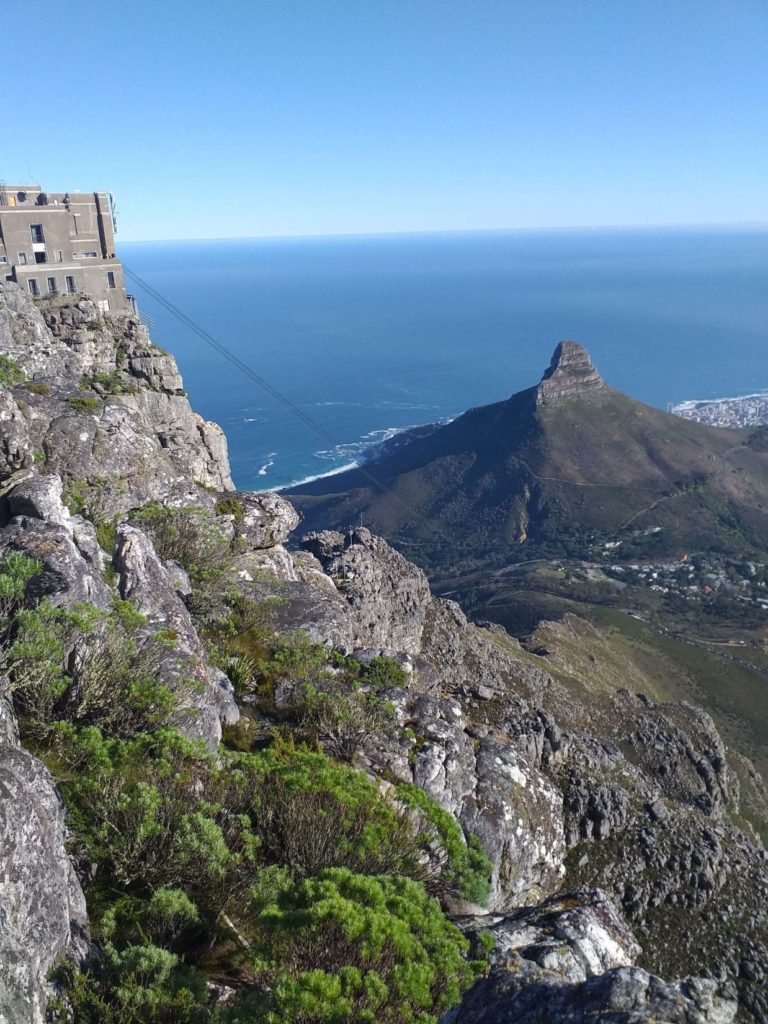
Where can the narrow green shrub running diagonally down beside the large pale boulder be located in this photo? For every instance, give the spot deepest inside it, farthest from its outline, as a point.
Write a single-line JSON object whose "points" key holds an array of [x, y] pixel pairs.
{"points": [[468, 871]]}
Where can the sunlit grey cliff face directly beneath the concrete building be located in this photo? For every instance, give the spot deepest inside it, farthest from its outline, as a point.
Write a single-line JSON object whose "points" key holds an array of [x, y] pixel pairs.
{"points": [[136, 439]]}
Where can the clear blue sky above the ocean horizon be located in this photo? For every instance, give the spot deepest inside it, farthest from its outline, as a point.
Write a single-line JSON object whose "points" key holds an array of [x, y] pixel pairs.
{"points": [[243, 118]]}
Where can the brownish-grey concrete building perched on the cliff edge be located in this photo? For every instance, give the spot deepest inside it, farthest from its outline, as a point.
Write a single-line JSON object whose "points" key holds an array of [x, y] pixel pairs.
{"points": [[62, 242]]}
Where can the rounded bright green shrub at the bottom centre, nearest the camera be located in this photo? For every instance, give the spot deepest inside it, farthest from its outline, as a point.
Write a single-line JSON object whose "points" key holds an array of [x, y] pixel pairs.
{"points": [[346, 948]]}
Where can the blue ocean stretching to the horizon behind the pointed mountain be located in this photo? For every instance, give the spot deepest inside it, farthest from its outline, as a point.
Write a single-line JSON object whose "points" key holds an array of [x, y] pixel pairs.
{"points": [[368, 335]]}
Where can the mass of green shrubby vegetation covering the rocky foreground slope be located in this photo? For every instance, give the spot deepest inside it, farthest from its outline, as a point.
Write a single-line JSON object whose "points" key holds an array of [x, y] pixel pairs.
{"points": [[272, 863]]}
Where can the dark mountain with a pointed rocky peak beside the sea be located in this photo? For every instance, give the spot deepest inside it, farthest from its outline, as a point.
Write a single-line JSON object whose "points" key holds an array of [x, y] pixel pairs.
{"points": [[559, 466]]}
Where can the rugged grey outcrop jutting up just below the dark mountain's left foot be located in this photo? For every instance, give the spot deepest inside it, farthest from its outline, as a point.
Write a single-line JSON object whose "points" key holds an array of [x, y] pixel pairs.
{"points": [[389, 596]]}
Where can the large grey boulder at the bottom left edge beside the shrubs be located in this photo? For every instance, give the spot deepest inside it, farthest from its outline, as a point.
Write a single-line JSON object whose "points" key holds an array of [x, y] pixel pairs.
{"points": [[42, 909]]}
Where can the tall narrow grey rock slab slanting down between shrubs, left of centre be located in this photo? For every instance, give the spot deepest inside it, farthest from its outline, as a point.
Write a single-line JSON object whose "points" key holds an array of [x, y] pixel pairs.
{"points": [[149, 585]]}
